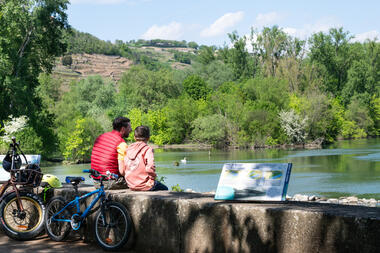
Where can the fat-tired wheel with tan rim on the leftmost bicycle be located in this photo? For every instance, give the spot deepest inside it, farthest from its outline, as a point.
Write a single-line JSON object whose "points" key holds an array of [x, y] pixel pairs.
{"points": [[22, 225]]}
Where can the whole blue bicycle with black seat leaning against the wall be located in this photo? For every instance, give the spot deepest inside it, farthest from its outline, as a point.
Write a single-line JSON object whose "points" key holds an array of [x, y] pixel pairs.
{"points": [[112, 224]]}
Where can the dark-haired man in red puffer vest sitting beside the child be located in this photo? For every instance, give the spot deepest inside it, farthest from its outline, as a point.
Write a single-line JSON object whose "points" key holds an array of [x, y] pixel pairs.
{"points": [[109, 151]]}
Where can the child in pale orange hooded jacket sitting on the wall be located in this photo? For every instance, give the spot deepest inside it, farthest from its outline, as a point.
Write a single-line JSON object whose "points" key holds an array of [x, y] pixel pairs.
{"points": [[139, 169]]}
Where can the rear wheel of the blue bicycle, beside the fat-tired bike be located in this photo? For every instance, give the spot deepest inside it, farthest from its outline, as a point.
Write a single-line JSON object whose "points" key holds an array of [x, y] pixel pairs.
{"points": [[57, 230]]}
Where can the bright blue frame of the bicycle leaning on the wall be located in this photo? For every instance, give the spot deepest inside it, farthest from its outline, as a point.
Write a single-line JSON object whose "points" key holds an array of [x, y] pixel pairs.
{"points": [[76, 203]]}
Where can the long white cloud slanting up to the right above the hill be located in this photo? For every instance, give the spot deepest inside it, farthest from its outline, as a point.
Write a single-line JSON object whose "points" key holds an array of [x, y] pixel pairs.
{"points": [[222, 24]]}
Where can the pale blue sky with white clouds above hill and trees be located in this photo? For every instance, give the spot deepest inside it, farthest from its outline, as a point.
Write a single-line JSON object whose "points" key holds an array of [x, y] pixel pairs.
{"points": [[208, 22]]}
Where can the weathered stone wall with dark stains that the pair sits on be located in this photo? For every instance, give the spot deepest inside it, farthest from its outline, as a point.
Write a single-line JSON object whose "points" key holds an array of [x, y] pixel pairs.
{"points": [[190, 222]]}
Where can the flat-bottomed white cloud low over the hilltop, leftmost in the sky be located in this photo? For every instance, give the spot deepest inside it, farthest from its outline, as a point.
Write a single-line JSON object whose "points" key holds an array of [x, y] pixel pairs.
{"points": [[172, 31]]}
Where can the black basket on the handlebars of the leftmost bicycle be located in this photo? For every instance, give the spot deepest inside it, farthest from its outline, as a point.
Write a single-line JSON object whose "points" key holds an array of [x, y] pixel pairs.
{"points": [[31, 175]]}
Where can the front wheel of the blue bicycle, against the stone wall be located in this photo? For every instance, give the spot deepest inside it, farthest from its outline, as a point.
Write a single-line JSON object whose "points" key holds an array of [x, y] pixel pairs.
{"points": [[112, 229]]}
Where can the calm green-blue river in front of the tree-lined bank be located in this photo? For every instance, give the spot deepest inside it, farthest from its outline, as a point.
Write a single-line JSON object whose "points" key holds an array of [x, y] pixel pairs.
{"points": [[345, 168]]}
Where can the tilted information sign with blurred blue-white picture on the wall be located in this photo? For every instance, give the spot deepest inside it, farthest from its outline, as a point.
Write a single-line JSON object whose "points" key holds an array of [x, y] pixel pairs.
{"points": [[253, 181]]}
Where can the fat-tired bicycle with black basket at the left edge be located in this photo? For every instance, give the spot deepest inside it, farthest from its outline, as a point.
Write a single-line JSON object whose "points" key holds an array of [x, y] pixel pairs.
{"points": [[21, 210]]}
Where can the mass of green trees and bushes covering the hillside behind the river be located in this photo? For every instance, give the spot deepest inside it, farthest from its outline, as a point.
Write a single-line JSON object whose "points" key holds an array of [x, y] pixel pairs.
{"points": [[266, 89]]}
